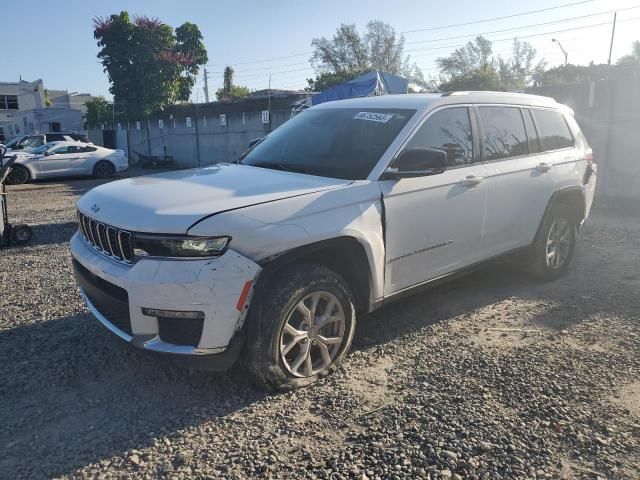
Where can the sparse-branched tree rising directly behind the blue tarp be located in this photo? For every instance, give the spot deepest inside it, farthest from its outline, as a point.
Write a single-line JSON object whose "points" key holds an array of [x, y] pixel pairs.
{"points": [[349, 54]]}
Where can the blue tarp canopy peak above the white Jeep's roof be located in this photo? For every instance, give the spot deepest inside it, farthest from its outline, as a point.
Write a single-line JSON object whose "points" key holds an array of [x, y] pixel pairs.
{"points": [[362, 86]]}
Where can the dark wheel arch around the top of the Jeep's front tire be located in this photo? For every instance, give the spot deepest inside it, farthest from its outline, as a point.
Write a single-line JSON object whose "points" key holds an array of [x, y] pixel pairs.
{"points": [[345, 255]]}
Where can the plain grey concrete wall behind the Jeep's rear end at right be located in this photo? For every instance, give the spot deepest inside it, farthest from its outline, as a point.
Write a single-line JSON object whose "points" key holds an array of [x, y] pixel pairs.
{"points": [[609, 114]]}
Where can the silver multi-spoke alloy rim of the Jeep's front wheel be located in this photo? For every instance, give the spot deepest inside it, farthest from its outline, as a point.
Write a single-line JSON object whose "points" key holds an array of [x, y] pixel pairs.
{"points": [[312, 334]]}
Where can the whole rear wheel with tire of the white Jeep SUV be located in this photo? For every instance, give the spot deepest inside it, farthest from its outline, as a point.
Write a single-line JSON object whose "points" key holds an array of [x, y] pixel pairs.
{"points": [[555, 243]]}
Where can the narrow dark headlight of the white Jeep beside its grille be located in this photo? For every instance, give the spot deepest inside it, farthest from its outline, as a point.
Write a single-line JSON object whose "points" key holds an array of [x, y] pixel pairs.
{"points": [[179, 247]]}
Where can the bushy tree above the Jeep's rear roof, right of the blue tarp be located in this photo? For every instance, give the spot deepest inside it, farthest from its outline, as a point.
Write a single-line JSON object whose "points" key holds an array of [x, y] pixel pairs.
{"points": [[473, 67]]}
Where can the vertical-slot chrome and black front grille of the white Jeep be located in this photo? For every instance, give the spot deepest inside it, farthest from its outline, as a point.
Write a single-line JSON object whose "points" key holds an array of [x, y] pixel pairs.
{"points": [[109, 240]]}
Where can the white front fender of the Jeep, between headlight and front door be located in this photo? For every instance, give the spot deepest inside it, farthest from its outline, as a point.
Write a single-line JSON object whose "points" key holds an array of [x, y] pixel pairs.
{"points": [[262, 232]]}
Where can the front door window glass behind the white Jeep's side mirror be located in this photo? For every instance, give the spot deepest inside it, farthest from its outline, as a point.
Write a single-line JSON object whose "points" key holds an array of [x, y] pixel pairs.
{"points": [[448, 130]]}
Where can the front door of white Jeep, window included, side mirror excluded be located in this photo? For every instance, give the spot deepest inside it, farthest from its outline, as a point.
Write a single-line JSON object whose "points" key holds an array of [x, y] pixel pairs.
{"points": [[434, 224]]}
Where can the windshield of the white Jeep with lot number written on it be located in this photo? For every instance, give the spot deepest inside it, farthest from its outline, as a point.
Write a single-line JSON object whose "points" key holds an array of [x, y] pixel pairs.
{"points": [[331, 142]]}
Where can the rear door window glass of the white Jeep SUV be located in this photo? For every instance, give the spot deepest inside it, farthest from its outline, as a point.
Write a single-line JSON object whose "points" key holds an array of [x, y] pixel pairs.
{"points": [[504, 134]]}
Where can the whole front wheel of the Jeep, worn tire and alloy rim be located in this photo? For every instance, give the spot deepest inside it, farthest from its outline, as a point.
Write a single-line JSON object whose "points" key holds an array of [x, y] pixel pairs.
{"points": [[304, 329]]}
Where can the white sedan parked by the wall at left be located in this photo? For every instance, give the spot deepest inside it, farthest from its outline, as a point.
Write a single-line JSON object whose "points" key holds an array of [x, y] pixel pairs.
{"points": [[57, 159]]}
